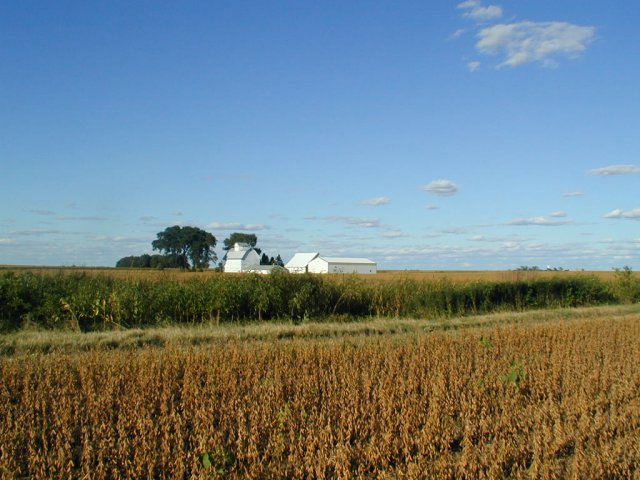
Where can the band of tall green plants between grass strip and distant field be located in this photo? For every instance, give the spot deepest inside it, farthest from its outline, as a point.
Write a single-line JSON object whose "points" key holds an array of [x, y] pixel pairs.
{"points": [[86, 302]]}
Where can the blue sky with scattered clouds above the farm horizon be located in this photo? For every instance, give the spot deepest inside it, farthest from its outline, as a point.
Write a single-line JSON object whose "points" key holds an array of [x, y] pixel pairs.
{"points": [[423, 135]]}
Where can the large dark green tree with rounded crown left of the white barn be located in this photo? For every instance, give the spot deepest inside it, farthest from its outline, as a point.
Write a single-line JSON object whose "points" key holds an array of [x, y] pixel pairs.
{"points": [[187, 243]]}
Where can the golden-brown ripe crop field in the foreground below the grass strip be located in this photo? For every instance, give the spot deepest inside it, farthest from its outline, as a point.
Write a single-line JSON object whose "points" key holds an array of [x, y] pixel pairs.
{"points": [[553, 399]]}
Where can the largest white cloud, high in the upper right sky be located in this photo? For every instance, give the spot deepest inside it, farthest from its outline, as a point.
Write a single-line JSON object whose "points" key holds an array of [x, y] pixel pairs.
{"points": [[527, 42]]}
